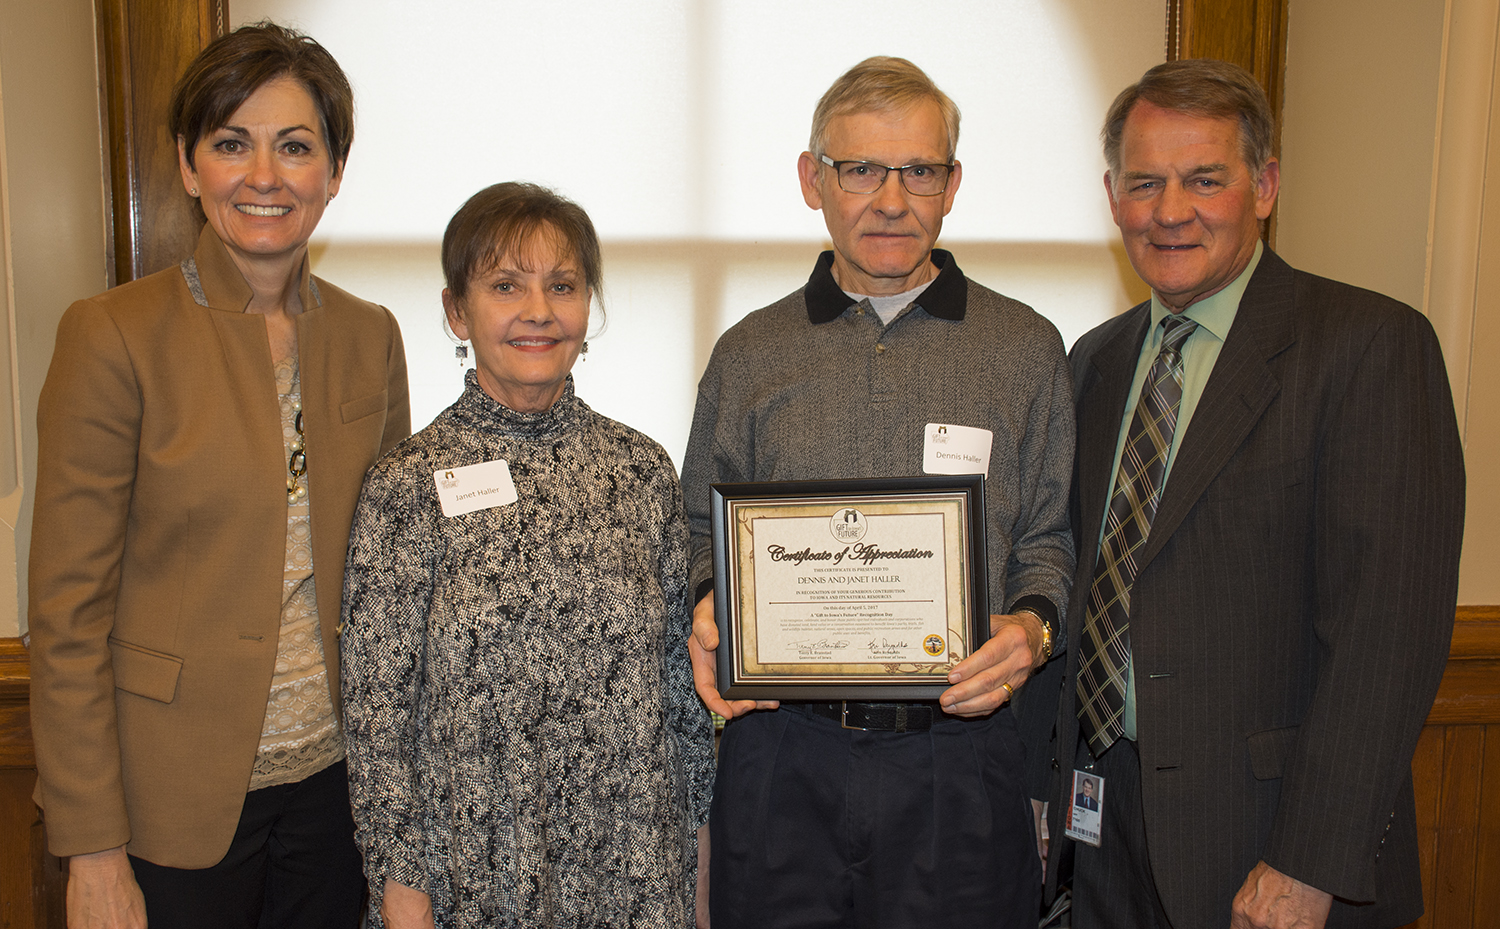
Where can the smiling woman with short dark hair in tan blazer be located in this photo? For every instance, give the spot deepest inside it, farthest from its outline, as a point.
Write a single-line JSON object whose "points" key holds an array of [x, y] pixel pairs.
{"points": [[203, 434]]}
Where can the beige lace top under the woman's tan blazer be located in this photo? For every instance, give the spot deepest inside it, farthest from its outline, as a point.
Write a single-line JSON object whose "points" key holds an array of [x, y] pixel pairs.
{"points": [[301, 735]]}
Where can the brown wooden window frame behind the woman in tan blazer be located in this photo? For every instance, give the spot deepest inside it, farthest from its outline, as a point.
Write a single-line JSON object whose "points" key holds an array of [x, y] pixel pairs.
{"points": [[143, 49]]}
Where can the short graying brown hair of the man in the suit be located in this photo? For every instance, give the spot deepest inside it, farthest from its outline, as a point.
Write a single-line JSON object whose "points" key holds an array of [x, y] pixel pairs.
{"points": [[1198, 88]]}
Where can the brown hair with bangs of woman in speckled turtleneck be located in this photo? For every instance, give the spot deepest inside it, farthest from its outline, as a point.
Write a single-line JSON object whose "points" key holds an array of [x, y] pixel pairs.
{"points": [[502, 220]]}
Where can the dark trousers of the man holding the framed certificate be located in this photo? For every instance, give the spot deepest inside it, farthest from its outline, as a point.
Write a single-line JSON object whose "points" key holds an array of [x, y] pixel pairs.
{"points": [[818, 828]]}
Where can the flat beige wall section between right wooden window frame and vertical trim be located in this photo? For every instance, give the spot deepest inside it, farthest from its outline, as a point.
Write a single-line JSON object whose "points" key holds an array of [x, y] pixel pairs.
{"points": [[1357, 142]]}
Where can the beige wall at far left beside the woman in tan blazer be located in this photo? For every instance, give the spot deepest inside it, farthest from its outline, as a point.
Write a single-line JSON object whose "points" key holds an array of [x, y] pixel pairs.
{"points": [[55, 244]]}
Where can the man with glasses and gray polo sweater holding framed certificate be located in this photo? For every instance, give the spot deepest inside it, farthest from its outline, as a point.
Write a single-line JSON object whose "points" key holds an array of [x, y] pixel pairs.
{"points": [[887, 814]]}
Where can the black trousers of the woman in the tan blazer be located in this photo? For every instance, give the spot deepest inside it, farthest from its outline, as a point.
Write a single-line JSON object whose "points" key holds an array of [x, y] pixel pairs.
{"points": [[292, 865]]}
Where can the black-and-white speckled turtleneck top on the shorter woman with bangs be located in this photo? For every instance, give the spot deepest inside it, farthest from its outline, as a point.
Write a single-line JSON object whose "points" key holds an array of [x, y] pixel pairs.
{"points": [[524, 739]]}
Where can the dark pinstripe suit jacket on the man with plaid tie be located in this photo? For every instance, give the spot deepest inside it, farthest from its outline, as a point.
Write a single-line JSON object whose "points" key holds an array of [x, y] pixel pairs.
{"points": [[1295, 600]]}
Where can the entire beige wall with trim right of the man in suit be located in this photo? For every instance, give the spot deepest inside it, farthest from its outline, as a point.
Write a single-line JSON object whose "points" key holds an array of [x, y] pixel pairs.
{"points": [[1387, 127]]}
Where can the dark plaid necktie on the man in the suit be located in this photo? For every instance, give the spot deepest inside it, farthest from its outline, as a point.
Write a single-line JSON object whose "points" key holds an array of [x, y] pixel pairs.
{"points": [[1105, 651]]}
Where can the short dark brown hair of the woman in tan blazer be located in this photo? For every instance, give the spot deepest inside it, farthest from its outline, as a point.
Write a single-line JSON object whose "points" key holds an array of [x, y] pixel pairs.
{"points": [[235, 67]]}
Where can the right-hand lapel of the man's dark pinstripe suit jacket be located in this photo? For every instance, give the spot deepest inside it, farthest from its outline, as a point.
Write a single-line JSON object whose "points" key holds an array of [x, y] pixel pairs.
{"points": [[1238, 394]]}
